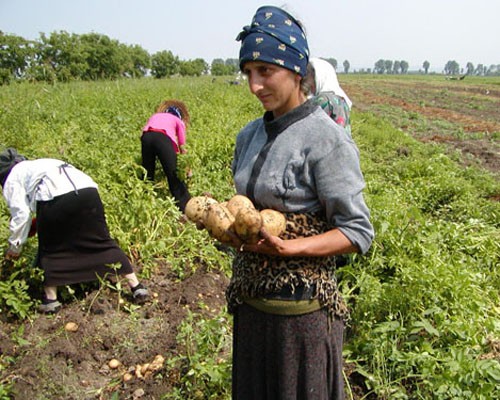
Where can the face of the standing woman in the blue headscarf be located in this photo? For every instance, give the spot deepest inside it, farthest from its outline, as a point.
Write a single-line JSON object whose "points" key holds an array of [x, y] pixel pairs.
{"points": [[277, 88]]}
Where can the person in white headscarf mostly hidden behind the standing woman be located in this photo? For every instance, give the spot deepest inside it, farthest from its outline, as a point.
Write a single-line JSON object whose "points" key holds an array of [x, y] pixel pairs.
{"points": [[322, 85]]}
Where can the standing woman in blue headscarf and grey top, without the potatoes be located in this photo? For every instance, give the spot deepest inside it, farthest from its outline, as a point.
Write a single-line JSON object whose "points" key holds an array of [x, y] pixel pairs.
{"points": [[288, 312]]}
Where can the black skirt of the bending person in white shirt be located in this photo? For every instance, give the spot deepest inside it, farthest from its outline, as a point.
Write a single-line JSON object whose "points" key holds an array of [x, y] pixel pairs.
{"points": [[74, 244]]}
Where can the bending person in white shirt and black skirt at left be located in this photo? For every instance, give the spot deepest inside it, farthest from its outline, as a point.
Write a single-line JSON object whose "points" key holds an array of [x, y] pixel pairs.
{"points": [[74, 244]]}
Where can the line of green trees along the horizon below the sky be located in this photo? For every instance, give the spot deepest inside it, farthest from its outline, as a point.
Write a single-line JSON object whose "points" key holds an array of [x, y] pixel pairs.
{"points": [[62, 56]]}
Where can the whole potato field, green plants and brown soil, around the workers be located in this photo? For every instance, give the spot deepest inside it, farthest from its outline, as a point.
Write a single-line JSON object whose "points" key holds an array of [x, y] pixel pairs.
{"points": [[424, 302]]}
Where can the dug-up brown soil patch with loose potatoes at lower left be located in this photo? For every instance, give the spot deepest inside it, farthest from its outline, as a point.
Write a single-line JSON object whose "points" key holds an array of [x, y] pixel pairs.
{"points": [[52, 363]]}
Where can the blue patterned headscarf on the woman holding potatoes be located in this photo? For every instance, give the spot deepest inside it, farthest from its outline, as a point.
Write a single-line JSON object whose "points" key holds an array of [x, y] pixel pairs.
{"points": [[275, 37]]}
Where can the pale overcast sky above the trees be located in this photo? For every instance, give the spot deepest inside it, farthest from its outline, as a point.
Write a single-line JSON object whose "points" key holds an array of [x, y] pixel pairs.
{"points": [[360, 31]]}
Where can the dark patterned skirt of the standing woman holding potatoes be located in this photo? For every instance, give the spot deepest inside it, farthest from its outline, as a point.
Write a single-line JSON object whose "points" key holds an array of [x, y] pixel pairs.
{"points": [[287, 357]]}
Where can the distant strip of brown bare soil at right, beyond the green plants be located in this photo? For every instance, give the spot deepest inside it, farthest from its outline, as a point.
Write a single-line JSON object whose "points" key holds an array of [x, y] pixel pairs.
{"points": [[472, 114]]}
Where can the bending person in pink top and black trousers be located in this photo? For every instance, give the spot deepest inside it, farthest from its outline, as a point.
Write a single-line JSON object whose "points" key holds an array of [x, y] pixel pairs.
{"points": [[163, 137]]}
